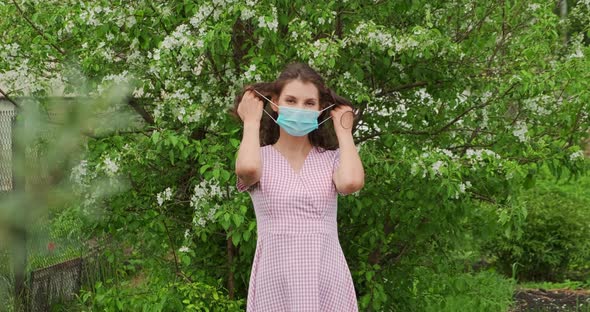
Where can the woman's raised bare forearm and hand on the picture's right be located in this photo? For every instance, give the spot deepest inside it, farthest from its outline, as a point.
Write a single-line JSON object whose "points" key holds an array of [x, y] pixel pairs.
{"points": [[350, 175]]}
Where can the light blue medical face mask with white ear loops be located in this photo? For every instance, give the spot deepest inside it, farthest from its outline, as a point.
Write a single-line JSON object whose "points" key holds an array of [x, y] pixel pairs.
{"points": [[296, 121]]}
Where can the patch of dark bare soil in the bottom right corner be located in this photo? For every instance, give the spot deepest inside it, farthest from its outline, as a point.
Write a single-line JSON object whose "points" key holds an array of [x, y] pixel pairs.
{"points": [[551, 300]]}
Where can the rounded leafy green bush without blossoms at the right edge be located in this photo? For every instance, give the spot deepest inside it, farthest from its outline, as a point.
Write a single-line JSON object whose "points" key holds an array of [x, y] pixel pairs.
{"points": [[555, 237]]}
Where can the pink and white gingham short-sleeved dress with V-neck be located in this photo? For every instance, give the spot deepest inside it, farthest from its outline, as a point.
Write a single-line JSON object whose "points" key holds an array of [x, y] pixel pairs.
{"points": [[298, 264]]}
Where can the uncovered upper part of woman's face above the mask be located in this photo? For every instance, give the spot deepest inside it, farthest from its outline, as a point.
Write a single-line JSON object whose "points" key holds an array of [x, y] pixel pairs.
{"points": [[299, 94]]}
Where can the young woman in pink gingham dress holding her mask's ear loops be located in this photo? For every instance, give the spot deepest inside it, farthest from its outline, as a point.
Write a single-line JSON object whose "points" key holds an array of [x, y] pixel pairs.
{"points": [[293, 164]]}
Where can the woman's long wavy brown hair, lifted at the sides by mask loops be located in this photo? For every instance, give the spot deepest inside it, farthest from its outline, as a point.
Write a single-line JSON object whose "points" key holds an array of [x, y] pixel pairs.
{"points": [[324, 136]]}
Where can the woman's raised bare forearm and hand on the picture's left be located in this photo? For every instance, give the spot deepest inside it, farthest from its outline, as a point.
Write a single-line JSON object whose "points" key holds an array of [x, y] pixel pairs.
{"points": [[248, 162]]}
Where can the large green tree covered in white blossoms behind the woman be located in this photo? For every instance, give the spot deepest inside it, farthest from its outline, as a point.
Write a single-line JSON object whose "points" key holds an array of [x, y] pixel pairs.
{"points": [[460, 103]]}
